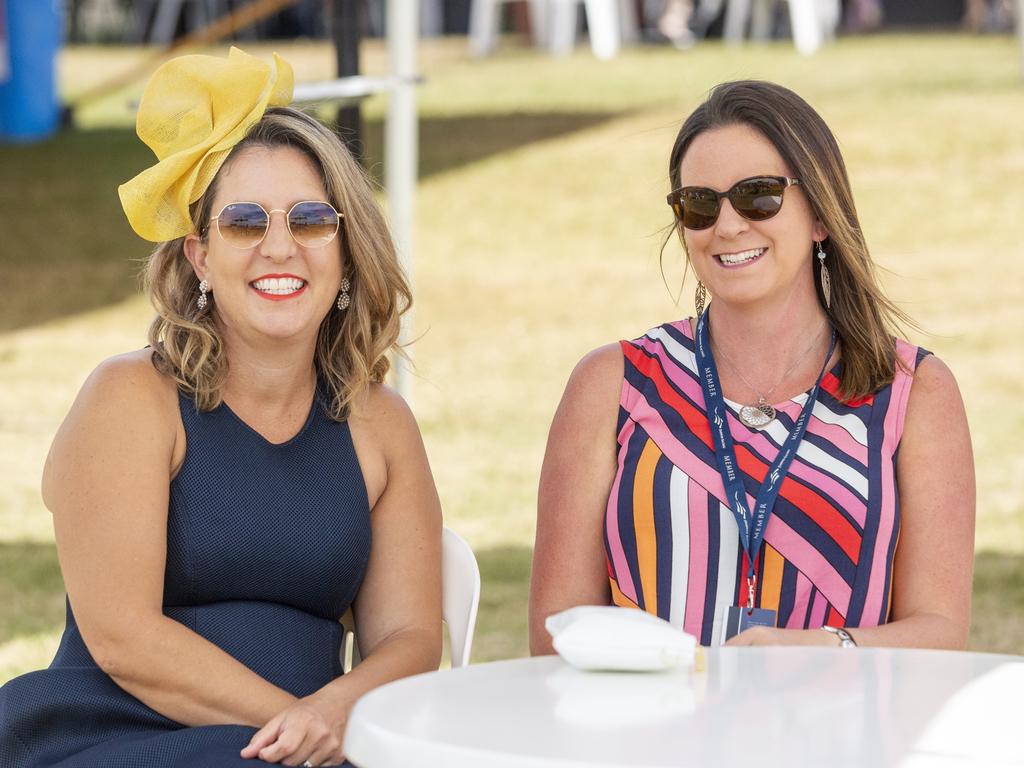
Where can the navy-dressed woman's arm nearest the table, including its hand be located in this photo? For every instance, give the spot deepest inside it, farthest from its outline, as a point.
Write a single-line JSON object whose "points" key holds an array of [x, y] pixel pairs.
{"points": [[399, 607]]}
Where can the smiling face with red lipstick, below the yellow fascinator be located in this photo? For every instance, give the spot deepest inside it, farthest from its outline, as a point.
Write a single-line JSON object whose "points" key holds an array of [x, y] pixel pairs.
{"points": [[279, 289]]}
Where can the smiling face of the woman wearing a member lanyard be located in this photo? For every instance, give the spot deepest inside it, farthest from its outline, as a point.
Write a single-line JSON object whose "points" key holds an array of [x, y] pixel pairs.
{"points": [[745, 263]]}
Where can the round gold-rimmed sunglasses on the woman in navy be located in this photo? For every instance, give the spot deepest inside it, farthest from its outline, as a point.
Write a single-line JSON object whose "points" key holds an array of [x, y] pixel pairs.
{"points": [[312, 224]]}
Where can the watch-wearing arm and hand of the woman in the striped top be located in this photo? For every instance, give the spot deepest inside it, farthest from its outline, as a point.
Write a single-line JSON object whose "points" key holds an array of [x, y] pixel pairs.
{"points": [[934, 563]]}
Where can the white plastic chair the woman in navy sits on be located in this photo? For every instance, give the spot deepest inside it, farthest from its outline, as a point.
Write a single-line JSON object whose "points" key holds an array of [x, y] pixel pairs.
{"points": [[460, 601]]}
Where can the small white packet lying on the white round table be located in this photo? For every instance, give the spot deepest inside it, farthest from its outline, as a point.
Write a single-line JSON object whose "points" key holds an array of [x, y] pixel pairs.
{"points": [[604, 637]]}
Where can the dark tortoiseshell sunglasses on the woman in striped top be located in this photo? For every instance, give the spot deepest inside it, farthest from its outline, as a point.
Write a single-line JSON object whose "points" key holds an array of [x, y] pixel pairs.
{"points": [[757, 199]]}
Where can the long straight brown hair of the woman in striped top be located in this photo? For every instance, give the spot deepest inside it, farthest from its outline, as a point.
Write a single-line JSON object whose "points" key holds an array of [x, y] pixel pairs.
{"points": [[866, 320]]}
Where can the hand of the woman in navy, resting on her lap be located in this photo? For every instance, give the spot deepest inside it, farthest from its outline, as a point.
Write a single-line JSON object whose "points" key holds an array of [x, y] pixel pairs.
{"points": [[310, 731]]}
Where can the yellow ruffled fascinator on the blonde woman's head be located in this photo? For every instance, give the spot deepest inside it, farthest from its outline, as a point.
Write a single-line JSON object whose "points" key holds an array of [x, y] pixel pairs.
{"points": [[194, 111]]}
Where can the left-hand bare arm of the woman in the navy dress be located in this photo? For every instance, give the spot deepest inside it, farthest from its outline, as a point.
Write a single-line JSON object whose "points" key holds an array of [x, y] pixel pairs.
{"points": [[107, 483]]}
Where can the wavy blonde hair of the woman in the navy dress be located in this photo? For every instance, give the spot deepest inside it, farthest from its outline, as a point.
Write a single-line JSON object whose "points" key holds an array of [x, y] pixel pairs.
{"points": [[354, 347]]}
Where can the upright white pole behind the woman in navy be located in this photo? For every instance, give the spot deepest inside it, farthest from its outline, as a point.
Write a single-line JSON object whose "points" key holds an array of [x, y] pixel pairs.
{"points": [[401, 151]]}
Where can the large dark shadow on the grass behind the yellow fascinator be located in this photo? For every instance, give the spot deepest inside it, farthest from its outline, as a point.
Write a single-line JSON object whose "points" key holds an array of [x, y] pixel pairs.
{"points": [[68, 247]]}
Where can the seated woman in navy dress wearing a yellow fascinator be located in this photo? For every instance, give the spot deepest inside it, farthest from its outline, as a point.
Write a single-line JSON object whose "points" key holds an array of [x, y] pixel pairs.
{"points": [[224, 496]]}
